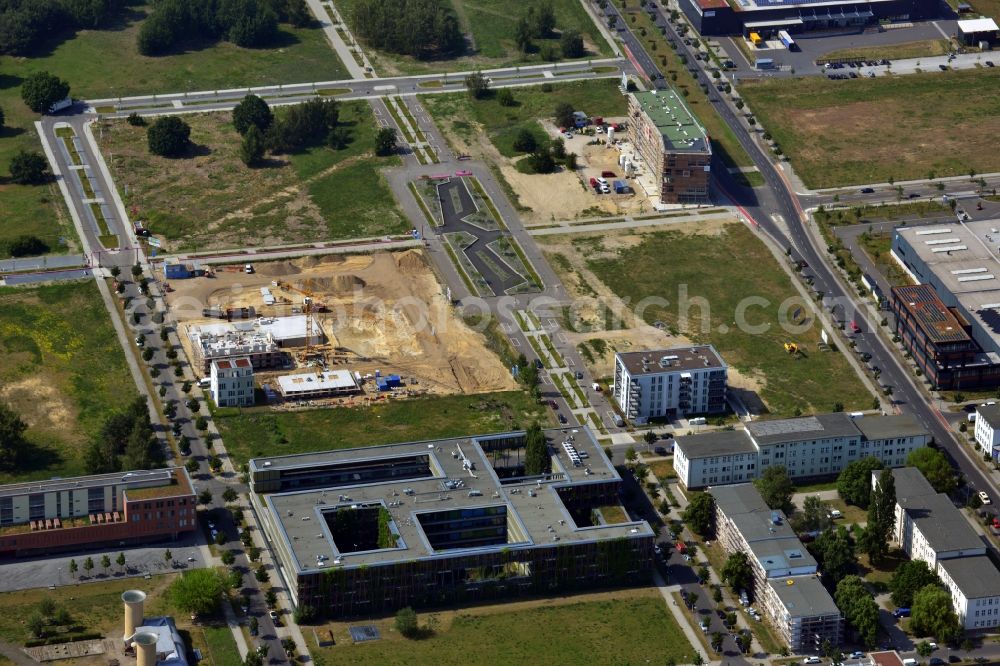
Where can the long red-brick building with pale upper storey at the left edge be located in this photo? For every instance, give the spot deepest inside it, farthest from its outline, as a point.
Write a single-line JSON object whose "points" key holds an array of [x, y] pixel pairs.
{"points": [[91, 511]]}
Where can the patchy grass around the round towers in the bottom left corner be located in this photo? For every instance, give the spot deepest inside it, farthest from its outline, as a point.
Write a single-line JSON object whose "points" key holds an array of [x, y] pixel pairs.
{"points": [[98, 607]]}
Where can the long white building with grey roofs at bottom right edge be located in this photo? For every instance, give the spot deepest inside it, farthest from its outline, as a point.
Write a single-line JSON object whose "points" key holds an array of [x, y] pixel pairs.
{"points": [[929, 528]]}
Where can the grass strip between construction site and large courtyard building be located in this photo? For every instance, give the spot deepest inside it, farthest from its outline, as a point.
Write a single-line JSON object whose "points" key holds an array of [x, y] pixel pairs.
{"points": [[260, 432]]}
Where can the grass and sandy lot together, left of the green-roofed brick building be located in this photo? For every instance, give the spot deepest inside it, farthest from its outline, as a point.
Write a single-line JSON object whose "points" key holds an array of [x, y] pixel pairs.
{"points": [[486, 130]]}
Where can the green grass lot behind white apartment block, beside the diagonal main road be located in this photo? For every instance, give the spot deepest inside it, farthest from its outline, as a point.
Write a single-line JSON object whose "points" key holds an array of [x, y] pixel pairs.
{"points": [[744, 268]]}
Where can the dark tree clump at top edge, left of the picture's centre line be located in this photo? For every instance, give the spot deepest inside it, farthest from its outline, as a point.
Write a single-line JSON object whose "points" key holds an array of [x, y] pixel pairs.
{"points": [[424, 29]]}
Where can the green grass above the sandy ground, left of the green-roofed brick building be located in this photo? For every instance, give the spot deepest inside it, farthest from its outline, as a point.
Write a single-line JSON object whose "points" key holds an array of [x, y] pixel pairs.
{"points": [[466, 118]]}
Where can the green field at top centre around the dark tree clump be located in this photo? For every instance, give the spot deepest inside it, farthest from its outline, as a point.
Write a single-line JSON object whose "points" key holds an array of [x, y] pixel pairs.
{"points": [[489, 26]]}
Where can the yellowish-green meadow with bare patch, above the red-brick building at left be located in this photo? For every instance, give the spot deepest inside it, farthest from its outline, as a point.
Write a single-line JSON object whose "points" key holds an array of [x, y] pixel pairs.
{"points": [[62, 369]]}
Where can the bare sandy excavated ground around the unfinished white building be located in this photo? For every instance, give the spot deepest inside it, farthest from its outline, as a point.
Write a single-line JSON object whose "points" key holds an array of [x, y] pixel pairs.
{"points": [[384, 311]]}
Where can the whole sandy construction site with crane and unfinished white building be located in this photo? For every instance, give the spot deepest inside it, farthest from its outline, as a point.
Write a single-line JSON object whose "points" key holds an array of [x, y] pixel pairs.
{"points": [[374, 317]]}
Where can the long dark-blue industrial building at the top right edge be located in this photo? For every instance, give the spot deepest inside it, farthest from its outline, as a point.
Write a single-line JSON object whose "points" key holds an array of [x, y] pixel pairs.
{"points": [[741, 17]]}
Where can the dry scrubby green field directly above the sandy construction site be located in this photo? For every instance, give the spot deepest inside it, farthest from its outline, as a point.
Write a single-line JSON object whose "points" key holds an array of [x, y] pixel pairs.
{"points": [[211, 200]]}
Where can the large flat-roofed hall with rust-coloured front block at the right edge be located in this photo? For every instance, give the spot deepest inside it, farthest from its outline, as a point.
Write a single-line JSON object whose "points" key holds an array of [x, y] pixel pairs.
{"points": [[950, 320]]}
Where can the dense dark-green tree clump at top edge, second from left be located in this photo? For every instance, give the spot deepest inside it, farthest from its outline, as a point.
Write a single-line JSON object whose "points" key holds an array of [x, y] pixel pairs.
{"points": [[246, 23]]}
